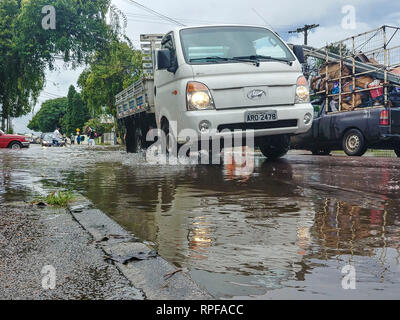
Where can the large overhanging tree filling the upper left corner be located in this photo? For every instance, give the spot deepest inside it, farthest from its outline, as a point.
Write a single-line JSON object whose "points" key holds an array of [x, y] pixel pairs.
{"points": [[27, 49]]}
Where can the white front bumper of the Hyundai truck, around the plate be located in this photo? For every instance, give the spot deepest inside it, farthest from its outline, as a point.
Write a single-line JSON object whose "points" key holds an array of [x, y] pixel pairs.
{"points": [[290, 120]]}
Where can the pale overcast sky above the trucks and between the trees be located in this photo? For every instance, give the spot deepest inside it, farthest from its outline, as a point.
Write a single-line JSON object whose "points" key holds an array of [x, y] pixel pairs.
{"points": [[282, 16]]}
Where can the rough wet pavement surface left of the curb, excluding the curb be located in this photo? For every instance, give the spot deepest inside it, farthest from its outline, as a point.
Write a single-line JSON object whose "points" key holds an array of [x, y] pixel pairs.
{"points": [[32, 237]]}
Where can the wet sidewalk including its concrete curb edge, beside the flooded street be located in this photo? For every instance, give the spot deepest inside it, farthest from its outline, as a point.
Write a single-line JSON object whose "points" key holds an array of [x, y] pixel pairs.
{"points": [[85, 248]]}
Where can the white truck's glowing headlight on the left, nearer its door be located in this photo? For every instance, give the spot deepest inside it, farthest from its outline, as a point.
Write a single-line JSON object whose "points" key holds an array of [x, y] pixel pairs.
{"points": [[198, 97]]}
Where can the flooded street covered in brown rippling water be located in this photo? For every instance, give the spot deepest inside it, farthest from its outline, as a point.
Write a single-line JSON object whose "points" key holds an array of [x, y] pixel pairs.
{"points": [[285, 231]]}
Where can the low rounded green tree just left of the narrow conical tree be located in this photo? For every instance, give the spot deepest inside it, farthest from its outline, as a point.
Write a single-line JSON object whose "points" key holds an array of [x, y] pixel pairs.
{"points": [[50, 116]]}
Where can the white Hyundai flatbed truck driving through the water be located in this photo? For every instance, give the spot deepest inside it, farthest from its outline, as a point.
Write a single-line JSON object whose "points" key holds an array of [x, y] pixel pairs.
{"points": [[219, 79]]}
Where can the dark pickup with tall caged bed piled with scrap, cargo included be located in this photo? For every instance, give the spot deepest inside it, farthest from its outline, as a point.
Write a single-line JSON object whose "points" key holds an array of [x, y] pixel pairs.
{"points": [[355, 86]]}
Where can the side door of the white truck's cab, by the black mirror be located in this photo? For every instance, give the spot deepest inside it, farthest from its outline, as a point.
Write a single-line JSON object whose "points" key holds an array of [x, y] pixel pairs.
{"points": [[165, 84]]}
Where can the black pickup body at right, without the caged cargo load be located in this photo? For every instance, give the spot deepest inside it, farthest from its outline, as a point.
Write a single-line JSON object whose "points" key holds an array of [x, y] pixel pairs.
{"points": [[352, 131]]}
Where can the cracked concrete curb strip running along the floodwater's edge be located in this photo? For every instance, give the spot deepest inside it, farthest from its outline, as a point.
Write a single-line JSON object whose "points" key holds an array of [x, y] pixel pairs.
{"points": [[144, 268]]}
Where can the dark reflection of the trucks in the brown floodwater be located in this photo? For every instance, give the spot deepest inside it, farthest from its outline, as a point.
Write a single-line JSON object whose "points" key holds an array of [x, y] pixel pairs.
{"points": [[262, 230]]}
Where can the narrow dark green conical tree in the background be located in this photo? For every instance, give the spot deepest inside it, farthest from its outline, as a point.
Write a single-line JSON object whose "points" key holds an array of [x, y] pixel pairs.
{"points": [[77, 112]]}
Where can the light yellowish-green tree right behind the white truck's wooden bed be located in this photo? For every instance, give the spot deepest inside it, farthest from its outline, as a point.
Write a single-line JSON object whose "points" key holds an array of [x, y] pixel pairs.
{"points": [[110, 71]]}
